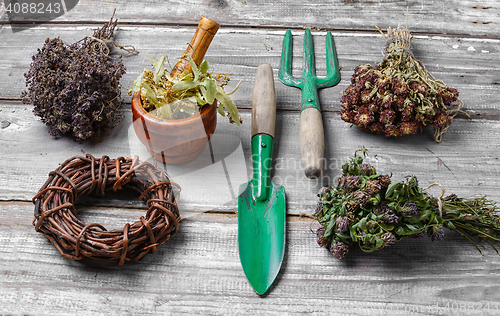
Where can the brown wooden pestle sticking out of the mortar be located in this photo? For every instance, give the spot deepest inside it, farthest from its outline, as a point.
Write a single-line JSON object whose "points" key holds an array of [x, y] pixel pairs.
{"points": [[198, 47]]}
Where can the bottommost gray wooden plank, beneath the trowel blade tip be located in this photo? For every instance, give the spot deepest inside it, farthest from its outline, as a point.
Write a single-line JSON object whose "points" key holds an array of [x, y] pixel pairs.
{"points": [[198, 272]]}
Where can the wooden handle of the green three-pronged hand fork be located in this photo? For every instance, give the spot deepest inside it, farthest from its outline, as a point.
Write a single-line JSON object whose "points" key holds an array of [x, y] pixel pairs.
{"points": [[312, 142]]}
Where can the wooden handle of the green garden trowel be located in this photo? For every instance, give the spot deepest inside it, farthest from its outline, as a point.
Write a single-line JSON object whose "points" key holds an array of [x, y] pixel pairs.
{"points": [[264, 102]]}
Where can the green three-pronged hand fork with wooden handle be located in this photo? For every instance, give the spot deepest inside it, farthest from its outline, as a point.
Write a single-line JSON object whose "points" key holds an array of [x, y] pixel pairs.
{"points": [[312, 138]]}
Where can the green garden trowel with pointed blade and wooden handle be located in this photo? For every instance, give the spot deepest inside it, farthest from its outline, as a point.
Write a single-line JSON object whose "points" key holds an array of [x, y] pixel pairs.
{"points": [[261, 203]]}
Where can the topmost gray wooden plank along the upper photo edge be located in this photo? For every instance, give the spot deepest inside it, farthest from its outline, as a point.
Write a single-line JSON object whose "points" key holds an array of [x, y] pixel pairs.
{"points": [[454, 17]]}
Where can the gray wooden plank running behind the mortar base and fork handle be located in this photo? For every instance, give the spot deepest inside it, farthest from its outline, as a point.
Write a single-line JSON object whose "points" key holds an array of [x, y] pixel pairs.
{"points": [[465, 163]]}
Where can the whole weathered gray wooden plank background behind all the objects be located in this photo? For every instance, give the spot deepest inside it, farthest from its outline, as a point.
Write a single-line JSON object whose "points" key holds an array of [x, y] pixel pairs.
{"points": [[198, 270]]}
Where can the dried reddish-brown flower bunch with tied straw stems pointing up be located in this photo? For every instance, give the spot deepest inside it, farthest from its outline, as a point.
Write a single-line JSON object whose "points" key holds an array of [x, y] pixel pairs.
{"points": [[398, 96]]}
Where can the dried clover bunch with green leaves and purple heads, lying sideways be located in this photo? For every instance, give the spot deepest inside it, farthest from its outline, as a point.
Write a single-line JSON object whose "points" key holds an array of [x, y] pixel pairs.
{"points": [[367, 209]]}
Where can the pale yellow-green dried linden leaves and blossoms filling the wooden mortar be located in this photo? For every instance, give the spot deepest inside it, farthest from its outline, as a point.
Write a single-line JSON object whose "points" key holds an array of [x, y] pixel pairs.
{"points": [[183, 95]]}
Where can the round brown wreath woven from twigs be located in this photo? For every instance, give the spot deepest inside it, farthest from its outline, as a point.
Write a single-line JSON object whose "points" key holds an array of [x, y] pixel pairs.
{"points": [[55, 213]]}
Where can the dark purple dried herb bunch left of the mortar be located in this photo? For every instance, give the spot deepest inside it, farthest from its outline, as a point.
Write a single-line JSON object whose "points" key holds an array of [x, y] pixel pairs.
{"points": [[75, 88]]}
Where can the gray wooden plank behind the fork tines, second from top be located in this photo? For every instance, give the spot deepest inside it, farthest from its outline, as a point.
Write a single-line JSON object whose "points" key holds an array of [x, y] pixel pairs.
{"points": [[467, 64]]}
